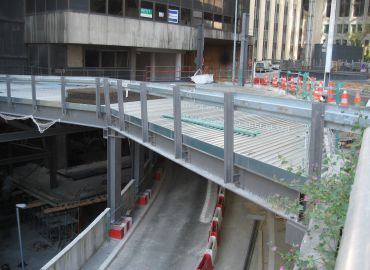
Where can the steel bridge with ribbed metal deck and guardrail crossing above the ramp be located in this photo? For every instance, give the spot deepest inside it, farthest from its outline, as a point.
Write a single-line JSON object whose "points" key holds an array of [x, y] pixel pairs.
{"points": [[247, 141]]}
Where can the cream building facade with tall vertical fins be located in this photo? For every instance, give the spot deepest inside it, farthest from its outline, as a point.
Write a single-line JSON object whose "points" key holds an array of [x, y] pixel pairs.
{"points": [[276, 27]]}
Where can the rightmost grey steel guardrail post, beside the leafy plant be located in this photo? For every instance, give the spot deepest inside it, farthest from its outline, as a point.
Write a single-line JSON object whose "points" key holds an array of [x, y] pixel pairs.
{"points": [[316, 141]]}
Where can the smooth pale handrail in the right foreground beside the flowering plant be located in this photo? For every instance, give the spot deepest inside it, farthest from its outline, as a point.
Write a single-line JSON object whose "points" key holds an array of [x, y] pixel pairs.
{"points": [[355, 243]]}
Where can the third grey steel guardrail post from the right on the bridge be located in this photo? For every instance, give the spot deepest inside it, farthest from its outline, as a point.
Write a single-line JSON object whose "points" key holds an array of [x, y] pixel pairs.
{"points": [[177, 121]]}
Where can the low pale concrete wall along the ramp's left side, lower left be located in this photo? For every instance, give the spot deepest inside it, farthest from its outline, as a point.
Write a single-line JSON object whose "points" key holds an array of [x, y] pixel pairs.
{"points": [[76, 253]]}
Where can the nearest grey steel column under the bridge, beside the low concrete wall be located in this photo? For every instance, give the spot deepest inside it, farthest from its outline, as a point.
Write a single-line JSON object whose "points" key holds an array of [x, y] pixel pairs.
{"points": [[114, 177]]}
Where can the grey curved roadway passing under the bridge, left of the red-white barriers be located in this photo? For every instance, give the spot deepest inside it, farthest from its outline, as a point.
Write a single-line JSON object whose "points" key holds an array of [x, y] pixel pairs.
{"points": [[170, 236]]}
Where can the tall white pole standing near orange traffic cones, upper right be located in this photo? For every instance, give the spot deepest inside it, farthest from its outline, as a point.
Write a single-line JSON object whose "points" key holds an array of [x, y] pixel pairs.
{"points": [[330, 41]]}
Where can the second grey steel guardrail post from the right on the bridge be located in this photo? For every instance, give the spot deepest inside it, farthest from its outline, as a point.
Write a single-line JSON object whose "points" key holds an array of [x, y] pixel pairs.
{"points": [[229, 137]]}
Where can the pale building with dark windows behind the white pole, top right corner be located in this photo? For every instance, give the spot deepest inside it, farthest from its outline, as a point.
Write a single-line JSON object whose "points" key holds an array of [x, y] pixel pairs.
{"points": [[352, 18]]}
